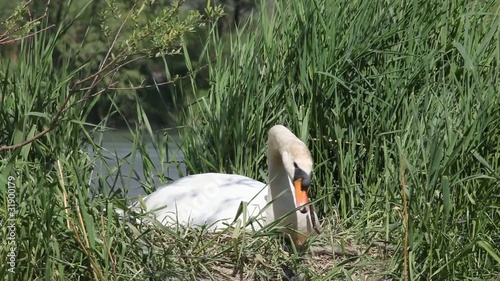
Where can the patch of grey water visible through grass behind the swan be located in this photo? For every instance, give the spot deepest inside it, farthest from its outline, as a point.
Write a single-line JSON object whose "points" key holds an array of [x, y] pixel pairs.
{"points": [[118, 144]]}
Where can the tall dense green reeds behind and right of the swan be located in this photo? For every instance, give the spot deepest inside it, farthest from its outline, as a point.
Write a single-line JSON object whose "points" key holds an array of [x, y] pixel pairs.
{"points": [[389, 95]]}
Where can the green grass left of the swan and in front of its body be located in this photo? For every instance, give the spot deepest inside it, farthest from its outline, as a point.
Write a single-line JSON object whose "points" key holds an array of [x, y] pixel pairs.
{"points": [[57, 214]]}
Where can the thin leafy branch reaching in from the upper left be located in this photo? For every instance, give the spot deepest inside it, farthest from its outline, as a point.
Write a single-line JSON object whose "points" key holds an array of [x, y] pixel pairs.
{"points": [[156, 37]]}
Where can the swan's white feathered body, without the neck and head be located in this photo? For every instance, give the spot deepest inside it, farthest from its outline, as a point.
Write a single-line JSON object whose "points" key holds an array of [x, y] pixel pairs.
{"points": [[210, 198]]}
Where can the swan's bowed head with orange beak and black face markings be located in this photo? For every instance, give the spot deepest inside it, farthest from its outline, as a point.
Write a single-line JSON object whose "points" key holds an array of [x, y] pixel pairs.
{"points": [[297, 161]]}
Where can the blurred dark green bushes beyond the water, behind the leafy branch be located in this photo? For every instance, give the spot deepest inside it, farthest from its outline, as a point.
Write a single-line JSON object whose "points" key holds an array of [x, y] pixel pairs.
{"points": [[92, 25]]}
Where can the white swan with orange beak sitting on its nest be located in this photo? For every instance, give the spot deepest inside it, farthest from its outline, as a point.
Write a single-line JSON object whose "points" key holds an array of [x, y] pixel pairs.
{"points": [[214, 199]]}
